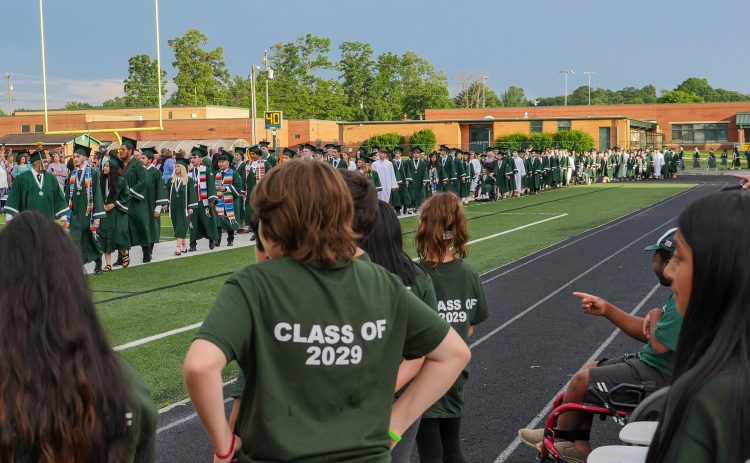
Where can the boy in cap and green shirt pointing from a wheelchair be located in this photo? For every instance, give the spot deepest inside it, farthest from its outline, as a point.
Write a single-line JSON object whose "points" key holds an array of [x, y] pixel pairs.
{"points": [[653, 365]]}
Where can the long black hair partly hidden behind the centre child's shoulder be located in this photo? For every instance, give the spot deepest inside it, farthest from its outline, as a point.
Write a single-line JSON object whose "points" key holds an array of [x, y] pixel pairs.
{"points": [[384, 245]]}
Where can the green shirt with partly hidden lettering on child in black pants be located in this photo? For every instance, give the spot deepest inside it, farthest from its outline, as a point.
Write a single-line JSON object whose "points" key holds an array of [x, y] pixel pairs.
{"points": [[461, 302]]}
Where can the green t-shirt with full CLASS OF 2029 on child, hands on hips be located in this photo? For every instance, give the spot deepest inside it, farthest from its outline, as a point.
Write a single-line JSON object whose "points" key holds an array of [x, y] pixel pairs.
{"points": [[320, 348]]}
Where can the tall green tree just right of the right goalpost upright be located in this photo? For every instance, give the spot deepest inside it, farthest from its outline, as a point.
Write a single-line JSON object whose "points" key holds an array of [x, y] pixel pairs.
{"points": [[202, 77]]}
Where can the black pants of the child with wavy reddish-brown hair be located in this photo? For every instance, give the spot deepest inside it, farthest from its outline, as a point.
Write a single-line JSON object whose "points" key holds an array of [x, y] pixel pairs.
{"points": [[439, 440]]}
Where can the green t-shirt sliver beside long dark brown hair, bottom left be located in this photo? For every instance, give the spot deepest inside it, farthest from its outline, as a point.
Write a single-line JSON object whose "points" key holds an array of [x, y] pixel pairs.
{"points": [[143, 417]]}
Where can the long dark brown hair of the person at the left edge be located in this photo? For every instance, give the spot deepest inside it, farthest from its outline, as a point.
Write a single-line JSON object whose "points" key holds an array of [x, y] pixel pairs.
{"points": [[62, 396]]}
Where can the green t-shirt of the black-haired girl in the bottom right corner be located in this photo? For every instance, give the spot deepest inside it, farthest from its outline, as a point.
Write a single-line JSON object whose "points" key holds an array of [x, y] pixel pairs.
{"points": [[707, 425]]}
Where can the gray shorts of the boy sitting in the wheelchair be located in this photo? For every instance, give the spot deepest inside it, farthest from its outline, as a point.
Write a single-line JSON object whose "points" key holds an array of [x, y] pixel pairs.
{"points": [[627, 369]]}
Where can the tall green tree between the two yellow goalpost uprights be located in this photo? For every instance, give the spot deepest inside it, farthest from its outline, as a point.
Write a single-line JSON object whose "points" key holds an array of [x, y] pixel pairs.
{"points": [[141, 89]]}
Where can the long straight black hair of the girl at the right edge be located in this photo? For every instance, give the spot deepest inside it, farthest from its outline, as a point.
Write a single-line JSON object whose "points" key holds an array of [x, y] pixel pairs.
{"points": [[716, 330]]}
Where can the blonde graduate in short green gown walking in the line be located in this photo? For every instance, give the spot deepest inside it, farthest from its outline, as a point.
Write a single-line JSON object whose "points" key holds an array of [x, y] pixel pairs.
{"points": [[183, 200]]}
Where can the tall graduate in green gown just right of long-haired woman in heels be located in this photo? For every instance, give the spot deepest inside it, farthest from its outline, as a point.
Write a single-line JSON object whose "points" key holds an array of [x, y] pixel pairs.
{"points": [[138, 211]]}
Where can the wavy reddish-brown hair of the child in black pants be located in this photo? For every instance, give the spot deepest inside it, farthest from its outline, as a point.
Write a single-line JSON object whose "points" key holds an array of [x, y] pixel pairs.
{"points": [[441, 216]]}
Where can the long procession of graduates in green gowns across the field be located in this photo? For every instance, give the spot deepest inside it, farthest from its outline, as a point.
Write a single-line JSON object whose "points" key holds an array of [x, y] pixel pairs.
{"points": [[113, 201]]}
